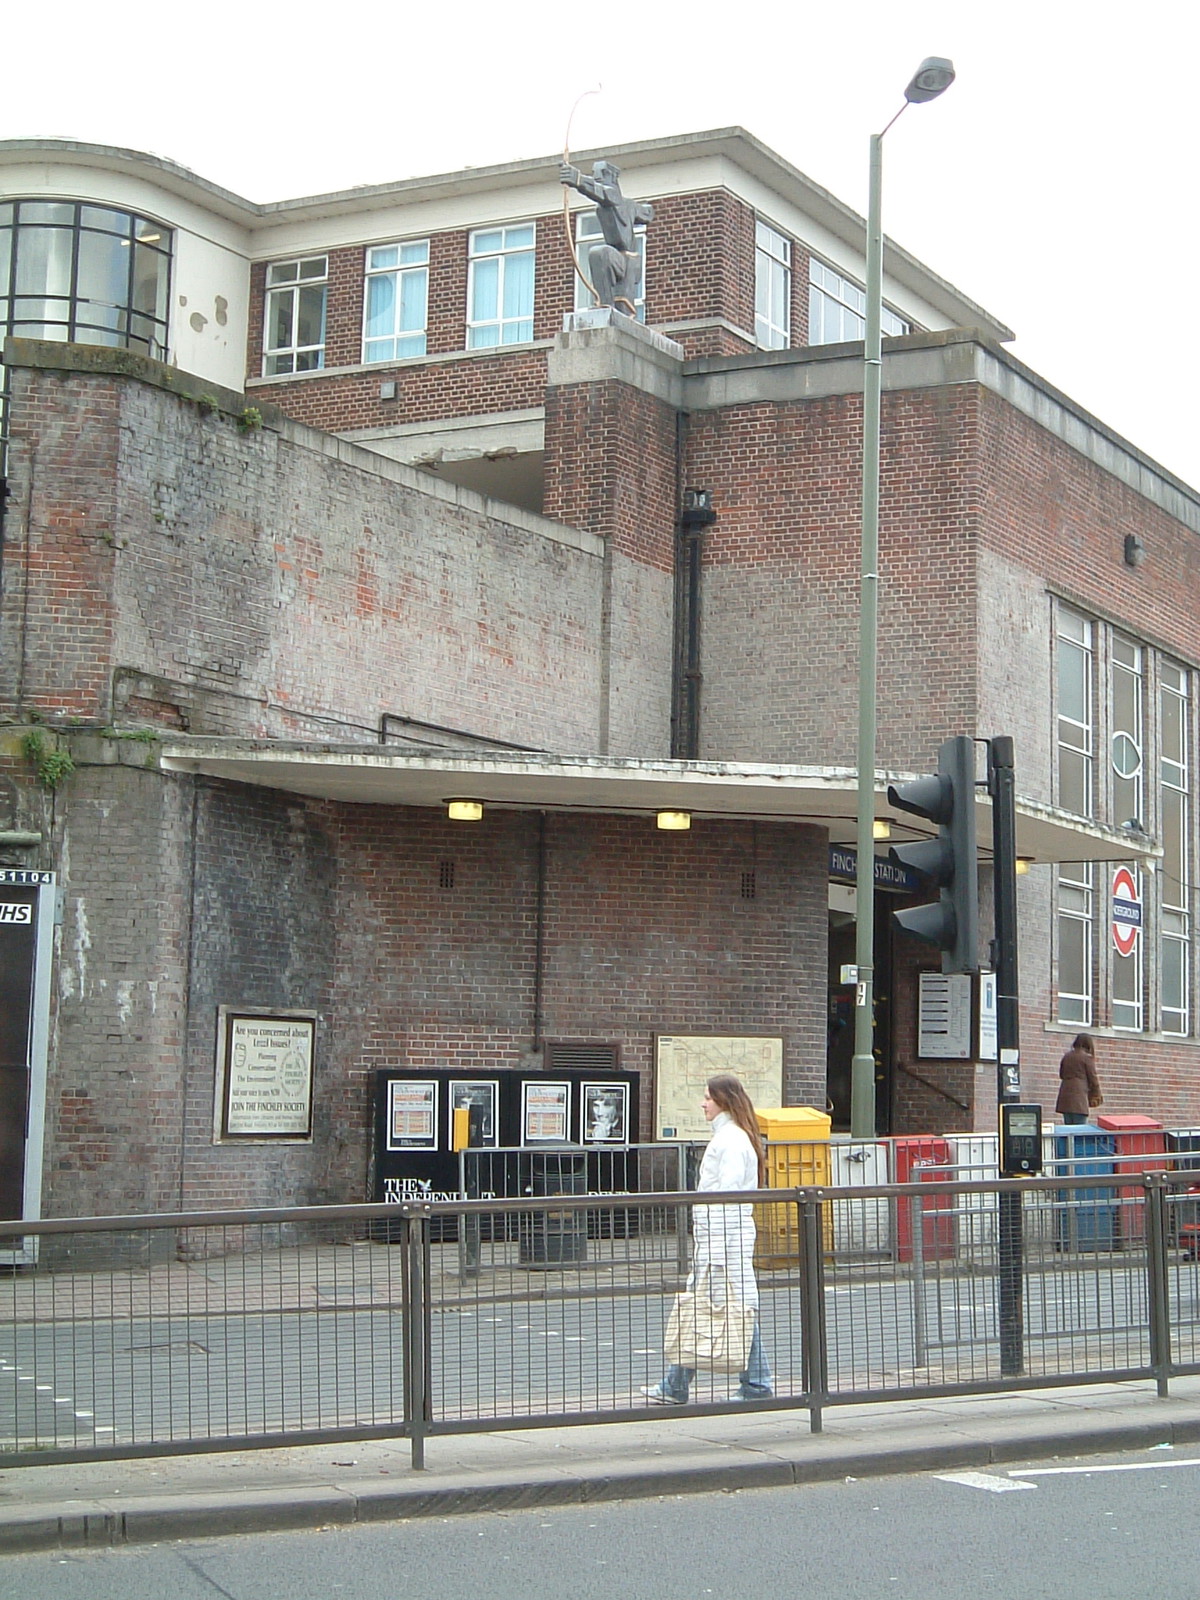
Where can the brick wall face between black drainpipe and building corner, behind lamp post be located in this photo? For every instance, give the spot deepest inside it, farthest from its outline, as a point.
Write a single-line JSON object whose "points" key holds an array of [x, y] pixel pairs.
{"points": [[782, 586]]}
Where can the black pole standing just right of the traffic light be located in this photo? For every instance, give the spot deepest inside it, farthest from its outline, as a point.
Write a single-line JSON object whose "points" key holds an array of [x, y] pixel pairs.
{"points": [[1002, 788]]}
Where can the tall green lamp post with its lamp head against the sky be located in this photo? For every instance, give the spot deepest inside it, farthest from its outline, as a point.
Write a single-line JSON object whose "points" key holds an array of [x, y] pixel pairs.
{"points": [[934, 76]]}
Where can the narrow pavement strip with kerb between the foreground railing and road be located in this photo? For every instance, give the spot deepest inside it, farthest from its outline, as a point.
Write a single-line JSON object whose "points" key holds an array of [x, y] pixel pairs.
{"points": [[106, 1503]]}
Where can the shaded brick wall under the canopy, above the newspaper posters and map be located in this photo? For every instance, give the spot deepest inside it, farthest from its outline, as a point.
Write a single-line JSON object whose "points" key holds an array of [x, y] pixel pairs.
{"points": [[644, 935]]}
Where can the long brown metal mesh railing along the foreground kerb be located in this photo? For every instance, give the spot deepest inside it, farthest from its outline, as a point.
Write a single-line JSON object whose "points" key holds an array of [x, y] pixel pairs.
{"points": [[223, 1330]]}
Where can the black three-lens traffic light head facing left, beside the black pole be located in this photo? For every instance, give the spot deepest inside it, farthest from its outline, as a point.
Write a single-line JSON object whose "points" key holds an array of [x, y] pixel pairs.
{"points": [[951, 862]]}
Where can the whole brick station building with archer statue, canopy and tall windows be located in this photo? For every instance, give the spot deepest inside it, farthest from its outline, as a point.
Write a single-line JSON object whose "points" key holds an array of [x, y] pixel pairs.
{"points": [[324, 513]]}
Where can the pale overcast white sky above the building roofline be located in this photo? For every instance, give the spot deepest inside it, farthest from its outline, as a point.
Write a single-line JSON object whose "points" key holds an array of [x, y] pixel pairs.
{"points": [[1054, 183]]}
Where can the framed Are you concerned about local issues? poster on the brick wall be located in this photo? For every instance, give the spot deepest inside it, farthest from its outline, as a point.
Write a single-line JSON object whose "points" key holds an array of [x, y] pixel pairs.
{"points": [[265, 1074]]}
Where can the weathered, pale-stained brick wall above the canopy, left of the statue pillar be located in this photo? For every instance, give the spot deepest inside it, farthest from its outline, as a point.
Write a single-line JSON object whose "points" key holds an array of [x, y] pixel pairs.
{"points": [[274, 590]]}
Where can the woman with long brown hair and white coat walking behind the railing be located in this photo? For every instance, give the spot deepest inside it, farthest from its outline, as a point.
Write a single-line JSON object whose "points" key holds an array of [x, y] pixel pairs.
{"points": [[724, 1234]]}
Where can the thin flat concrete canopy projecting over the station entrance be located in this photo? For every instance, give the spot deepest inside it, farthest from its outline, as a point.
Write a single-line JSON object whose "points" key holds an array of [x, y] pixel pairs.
{"points": [[818, 796]]}
